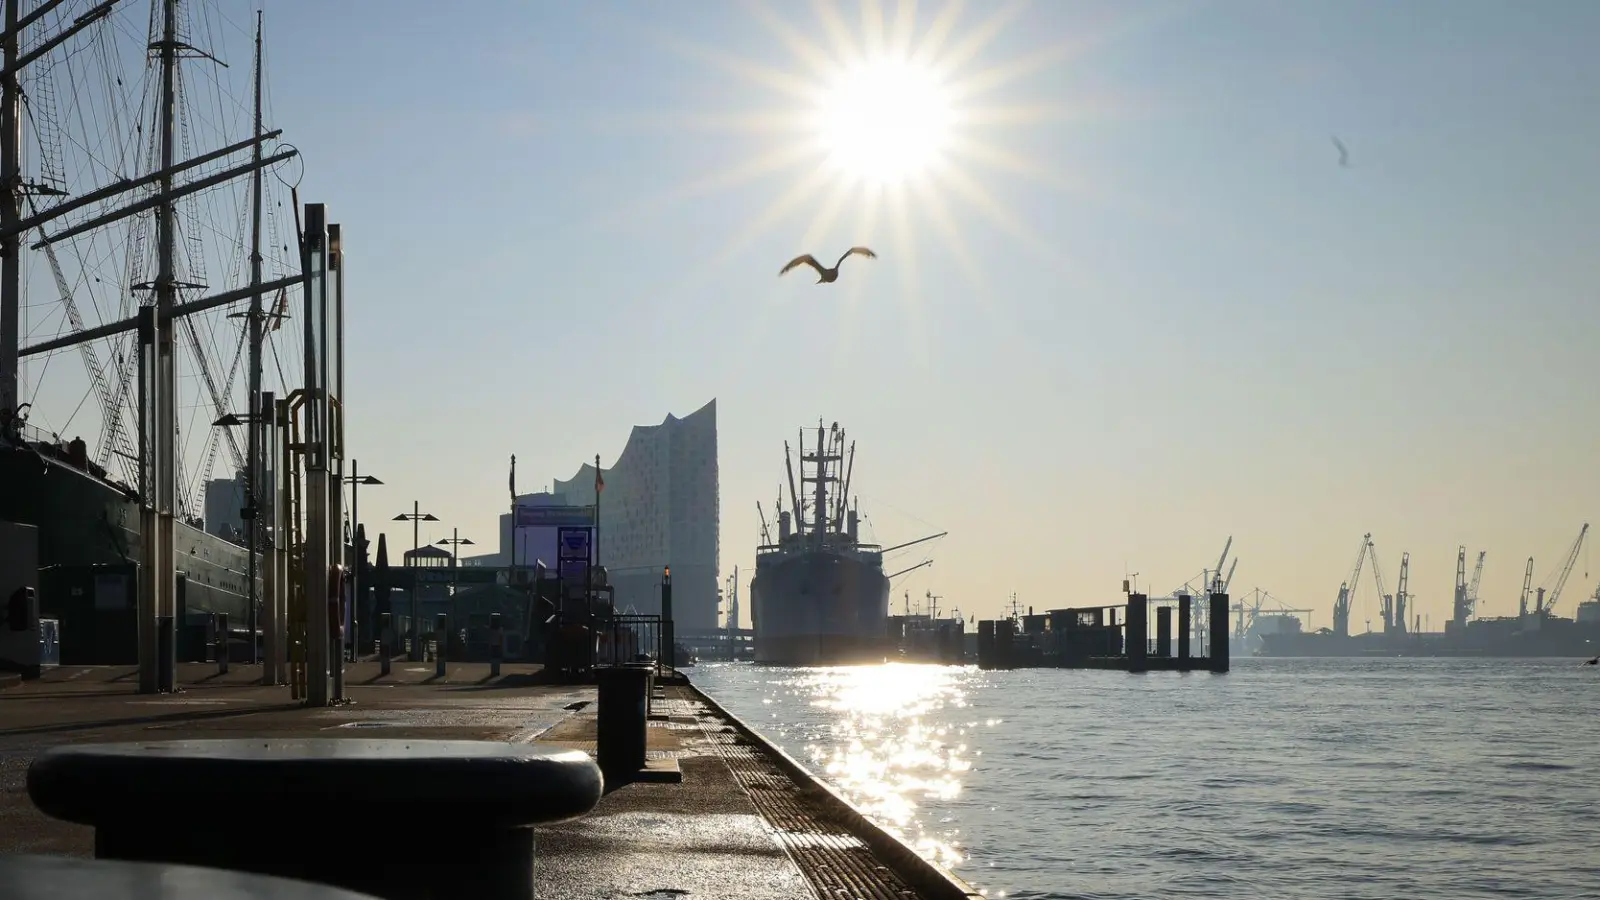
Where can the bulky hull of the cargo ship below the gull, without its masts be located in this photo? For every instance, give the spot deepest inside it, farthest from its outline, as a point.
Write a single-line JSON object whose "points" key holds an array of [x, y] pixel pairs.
{"points": [[820, 609]]}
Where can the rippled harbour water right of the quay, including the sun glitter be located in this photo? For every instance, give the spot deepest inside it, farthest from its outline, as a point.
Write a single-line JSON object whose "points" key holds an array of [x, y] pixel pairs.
{"points": [[1286, 779]]}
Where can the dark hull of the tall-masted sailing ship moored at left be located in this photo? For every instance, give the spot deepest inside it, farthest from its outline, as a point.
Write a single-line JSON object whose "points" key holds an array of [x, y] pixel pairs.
{"points": [[89, 524]]}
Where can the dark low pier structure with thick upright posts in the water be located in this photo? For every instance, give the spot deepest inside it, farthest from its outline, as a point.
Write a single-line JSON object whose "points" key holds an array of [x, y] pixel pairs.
{"points": [[1108, 637]]}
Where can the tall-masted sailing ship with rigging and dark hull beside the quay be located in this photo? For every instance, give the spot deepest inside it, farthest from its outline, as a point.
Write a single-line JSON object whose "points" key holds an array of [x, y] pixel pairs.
{"points": [[119, 521]]}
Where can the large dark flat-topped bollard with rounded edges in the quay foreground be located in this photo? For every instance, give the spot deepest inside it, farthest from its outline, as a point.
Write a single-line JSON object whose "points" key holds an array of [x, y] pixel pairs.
{"points": [[396, 819]]}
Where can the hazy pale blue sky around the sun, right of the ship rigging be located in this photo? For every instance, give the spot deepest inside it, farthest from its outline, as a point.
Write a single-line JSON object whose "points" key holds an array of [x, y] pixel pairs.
{"points": [[1132, 308]]}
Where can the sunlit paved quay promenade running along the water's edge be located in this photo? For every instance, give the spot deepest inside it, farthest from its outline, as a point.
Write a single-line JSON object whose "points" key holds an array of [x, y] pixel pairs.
{"points": [[740, 826]]}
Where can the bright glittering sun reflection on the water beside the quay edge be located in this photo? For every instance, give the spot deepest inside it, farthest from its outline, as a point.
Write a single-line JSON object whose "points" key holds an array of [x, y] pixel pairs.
{"points": [[882, 755]]}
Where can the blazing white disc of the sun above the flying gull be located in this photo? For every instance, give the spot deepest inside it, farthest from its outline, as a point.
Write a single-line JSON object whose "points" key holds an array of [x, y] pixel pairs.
{"points": [[886, 121]]}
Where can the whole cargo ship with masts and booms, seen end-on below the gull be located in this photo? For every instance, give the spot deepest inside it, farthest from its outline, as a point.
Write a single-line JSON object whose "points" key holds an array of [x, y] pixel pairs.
{"points": [[820, 597]]}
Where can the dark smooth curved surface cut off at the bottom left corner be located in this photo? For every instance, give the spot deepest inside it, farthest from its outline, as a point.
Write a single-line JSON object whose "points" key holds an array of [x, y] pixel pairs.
{"points": [[54, 878]]}
